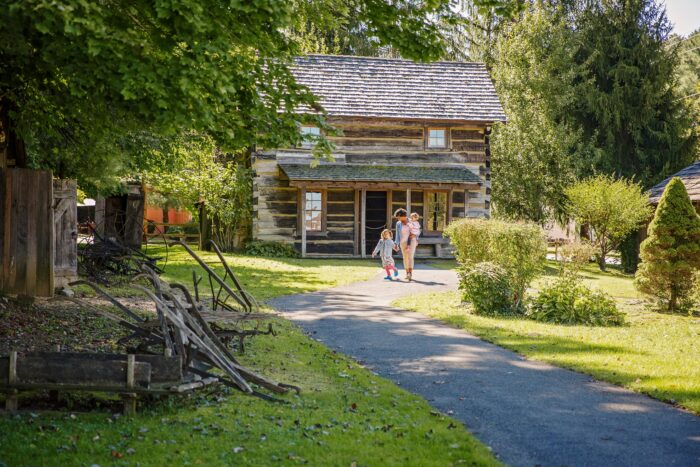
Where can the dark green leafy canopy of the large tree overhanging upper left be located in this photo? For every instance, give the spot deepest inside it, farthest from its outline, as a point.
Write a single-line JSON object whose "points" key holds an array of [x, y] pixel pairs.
{"points": [[81, 81]]}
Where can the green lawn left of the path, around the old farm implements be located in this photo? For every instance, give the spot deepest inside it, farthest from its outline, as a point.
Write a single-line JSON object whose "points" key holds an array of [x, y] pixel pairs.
{"points": [[344, 415]]}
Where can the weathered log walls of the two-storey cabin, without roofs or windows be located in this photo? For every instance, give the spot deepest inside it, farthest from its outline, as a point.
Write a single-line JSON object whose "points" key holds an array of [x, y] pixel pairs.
{"points": [[373, 142]]}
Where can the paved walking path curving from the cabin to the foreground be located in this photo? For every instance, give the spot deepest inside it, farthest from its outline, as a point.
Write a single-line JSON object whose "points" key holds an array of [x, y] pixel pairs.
{"points": [[529, 413]]}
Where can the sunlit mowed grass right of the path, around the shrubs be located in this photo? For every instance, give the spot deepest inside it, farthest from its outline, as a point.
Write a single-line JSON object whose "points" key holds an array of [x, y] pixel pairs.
{"points": [[656, 354]]}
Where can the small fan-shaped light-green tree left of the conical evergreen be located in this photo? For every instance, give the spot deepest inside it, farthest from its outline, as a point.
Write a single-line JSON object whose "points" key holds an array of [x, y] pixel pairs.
{"points": [[612, 208]]}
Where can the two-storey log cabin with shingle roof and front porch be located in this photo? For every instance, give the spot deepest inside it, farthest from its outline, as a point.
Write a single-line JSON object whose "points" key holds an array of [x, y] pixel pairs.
{"points": [[412, 135]]}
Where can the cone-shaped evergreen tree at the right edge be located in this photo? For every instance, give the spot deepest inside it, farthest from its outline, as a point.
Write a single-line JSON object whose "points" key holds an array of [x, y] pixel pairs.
{"points": [[671, 252]]}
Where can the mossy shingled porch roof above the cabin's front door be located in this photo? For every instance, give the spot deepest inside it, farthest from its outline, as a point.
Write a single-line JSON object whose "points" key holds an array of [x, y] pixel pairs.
{"points": [[378, 173]]}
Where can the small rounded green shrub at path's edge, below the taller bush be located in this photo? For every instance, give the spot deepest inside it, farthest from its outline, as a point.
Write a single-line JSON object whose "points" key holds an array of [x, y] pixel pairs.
{"points": [[487, 287]]}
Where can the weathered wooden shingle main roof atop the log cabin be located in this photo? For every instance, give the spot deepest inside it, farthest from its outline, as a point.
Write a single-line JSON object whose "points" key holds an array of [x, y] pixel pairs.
{"points": [[375, 87]]}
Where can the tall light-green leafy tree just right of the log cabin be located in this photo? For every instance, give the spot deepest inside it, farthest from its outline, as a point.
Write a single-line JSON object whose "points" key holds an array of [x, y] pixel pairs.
{"points": [[534, 153]]}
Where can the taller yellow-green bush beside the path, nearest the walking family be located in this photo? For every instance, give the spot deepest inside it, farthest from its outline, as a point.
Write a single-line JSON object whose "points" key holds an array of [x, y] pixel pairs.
{"points": [[517, 247]]}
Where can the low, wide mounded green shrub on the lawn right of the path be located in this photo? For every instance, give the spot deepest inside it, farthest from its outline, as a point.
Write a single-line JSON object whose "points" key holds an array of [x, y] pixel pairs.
{"points": [[567, 301]]}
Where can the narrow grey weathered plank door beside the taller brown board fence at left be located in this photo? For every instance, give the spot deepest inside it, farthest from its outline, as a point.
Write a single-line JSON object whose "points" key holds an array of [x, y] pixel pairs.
{"points": [[65, 218]]}
